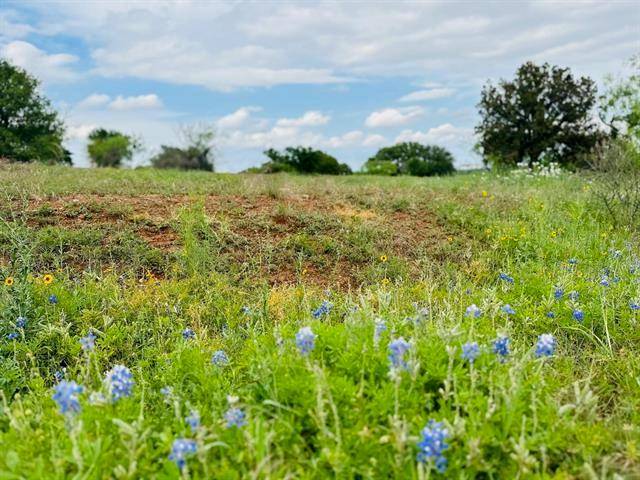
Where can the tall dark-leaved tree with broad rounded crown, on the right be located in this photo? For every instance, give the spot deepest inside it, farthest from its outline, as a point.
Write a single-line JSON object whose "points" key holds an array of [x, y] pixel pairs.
{"points": [[544, 113]]}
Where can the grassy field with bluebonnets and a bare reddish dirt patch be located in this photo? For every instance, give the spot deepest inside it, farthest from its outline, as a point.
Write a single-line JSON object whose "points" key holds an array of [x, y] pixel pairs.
{"points": [[427, 301]]}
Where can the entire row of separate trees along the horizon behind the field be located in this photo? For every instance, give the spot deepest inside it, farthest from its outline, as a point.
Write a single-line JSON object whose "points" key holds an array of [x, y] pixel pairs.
{"points": [[544, 114]]}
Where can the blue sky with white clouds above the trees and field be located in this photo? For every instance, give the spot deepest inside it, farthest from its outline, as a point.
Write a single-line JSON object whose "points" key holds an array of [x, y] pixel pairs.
{"points": [[347, 77]]}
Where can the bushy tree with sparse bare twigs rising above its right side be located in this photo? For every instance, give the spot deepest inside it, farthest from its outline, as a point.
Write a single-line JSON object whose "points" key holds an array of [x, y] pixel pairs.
{"points": [[197, 154]]}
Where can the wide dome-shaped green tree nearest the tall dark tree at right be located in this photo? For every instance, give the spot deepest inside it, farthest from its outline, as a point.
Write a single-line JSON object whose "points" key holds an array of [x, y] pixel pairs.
{"points": [[413, 158]]}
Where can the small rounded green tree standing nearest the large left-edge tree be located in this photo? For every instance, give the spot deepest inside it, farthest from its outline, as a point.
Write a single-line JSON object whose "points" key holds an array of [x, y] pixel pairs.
{"points": [[108, 148]]}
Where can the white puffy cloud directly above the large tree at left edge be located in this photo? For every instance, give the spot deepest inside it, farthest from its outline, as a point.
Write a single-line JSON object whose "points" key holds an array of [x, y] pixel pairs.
{"points": [[49, 68]]}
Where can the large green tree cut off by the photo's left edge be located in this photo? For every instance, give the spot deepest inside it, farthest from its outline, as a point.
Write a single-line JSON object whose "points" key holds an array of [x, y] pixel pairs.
{"points": [[30, 130]]}
